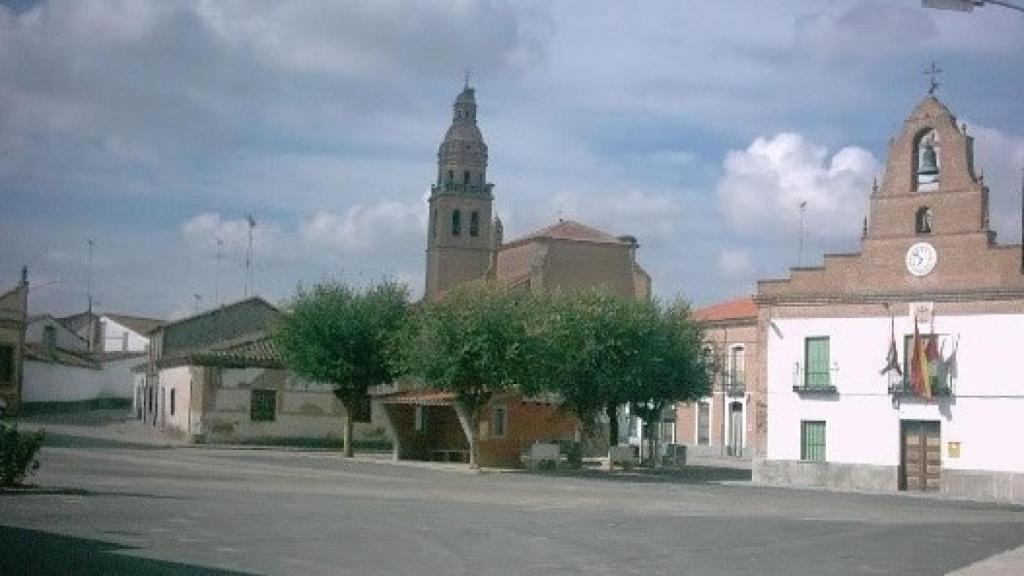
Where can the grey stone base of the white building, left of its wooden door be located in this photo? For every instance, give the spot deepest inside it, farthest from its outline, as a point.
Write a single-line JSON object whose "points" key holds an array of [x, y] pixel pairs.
{"points": [[826, 475]]}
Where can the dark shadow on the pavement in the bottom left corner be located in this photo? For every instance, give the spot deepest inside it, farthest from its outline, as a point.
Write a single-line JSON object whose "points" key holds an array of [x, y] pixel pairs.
{"points": [[32, 552]]}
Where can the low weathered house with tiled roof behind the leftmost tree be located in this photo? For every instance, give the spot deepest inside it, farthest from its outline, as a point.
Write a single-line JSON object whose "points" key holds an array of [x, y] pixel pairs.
{"points": [[218, 377]]}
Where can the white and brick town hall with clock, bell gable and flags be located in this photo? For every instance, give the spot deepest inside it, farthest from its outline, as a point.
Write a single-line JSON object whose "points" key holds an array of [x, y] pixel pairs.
{"points": [[893, 368]]}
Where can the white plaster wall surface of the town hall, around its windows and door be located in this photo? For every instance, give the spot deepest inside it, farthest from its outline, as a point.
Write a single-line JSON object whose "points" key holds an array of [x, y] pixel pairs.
{"points": [[863, 424]]}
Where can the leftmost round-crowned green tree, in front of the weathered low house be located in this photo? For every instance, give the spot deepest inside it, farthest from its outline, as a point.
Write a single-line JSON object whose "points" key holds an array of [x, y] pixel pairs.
{"points": [[338, 335]]}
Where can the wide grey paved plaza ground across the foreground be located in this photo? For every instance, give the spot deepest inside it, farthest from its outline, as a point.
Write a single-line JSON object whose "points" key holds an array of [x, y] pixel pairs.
{"points": [[126, 503]]}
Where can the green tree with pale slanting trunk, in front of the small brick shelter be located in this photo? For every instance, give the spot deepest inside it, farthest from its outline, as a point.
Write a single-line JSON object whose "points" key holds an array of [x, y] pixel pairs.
{"points": [[476, 343]]}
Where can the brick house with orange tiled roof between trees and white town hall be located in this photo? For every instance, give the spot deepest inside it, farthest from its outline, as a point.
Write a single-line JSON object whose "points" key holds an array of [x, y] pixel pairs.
{"points": [[730, 422]]}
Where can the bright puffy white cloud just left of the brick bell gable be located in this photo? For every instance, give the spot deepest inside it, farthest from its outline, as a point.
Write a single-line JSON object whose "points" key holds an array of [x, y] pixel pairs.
{"points": [[763, 187]]}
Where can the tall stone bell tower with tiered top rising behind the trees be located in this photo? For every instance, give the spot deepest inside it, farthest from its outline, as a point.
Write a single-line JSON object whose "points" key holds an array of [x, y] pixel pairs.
{"points": [[459, 235]]}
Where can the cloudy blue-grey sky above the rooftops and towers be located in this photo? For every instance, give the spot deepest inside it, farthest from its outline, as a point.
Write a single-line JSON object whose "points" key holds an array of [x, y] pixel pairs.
{"points": [[155, 129]]}
